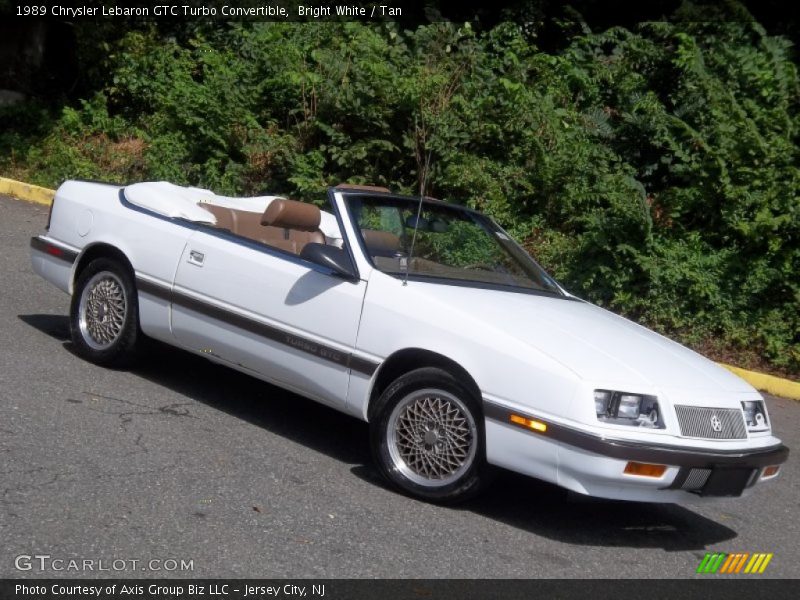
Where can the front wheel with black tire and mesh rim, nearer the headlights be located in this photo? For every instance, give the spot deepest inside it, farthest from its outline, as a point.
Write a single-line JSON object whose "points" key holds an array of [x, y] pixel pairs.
{"points": [[442, 460]]}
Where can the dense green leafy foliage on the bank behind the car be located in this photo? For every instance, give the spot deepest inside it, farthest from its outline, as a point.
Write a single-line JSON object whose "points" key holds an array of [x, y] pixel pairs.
{"points": [[653, 170]]}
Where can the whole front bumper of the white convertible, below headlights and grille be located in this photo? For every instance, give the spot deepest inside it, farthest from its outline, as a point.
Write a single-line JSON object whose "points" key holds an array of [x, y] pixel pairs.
{"points": [[591, 464]]}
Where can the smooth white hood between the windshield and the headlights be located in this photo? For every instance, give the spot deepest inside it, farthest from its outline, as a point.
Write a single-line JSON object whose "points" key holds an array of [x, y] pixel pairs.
{"points": [[595, 344]]}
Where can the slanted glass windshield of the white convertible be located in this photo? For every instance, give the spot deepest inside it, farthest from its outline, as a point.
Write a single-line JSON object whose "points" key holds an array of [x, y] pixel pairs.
{"points": [[451, 244]]}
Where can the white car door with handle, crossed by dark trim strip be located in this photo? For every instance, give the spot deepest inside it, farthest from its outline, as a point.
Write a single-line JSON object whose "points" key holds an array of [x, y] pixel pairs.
{"points": [[266, 311]]}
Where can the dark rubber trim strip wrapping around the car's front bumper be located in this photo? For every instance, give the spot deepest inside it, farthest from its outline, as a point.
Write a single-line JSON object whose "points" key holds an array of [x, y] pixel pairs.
{"points": [[680, 456]]}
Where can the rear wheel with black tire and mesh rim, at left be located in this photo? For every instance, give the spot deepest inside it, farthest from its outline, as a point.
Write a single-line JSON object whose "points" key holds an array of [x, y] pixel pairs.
{"points": [[100, 332]]}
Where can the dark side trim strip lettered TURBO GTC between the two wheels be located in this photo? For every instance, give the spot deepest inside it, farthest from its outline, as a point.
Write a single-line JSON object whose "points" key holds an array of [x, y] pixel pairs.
{"points": [[301, 343]]}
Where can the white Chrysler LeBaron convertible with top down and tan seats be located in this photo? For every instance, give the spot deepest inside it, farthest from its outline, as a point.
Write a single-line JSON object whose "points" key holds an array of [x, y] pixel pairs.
{"points": [[421, 317]]}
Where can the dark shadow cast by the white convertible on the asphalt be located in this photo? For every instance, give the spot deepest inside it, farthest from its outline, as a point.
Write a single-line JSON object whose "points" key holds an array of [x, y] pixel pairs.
{"points": [[521, 502]]}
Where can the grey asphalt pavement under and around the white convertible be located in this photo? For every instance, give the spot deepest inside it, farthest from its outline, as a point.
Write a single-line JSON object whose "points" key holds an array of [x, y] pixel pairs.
{"points": [[182, 460]]}
